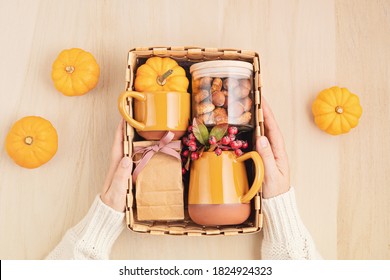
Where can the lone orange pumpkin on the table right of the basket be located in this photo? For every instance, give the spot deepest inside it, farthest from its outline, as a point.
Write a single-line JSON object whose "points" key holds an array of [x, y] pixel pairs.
{"points": [[336, 110]]}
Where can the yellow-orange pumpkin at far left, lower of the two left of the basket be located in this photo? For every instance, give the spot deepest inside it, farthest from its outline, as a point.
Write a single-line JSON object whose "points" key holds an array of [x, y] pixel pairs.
{"points": [[31, 142]]}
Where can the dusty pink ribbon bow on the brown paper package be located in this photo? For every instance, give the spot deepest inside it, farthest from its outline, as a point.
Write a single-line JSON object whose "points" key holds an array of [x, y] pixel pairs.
{"points": [[165, 146]]}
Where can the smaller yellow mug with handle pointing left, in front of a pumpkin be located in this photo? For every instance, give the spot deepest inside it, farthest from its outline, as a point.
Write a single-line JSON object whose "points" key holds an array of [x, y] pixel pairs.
{"points": [[157, 112]]}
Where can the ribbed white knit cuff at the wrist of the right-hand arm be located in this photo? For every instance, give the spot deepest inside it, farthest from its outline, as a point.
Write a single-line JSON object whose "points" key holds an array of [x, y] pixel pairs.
{"points": [[282, 220]]}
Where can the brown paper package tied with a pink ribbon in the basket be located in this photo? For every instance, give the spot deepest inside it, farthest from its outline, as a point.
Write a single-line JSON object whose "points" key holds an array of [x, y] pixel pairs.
{"points": [[159, 186]]}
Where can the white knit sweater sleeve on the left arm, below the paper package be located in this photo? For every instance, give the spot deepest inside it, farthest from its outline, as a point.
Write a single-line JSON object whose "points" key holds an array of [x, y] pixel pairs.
{"points": [[93, 237]]}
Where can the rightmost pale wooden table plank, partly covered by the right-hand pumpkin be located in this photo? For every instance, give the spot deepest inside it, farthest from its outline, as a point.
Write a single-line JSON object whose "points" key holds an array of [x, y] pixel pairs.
{"points": [[363, 66]]}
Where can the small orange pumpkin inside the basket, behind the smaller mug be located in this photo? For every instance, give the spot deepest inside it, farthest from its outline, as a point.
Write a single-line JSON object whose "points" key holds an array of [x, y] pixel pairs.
{"points": [[161, 74]]}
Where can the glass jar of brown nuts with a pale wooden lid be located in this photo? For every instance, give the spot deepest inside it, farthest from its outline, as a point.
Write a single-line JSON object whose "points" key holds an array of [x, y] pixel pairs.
{"points": [[222, 92]]}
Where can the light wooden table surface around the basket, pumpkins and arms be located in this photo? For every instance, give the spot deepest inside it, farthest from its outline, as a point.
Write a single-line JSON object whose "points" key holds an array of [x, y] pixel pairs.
{"points": [[342, 183]]}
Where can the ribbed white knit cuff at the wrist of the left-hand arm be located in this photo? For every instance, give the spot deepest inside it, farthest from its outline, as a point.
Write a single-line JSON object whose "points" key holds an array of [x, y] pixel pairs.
{"points": [[99, 229]]}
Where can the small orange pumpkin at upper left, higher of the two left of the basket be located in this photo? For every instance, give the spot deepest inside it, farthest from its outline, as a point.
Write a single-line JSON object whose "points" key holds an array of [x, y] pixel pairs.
{"points": [[75, 72]]}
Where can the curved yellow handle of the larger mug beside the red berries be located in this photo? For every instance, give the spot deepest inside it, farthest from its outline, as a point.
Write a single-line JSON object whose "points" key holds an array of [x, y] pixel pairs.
{"points": [[259, 174]]}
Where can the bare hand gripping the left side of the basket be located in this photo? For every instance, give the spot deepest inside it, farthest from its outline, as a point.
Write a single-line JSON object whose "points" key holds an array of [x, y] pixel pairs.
{"points": [[115, 186]]}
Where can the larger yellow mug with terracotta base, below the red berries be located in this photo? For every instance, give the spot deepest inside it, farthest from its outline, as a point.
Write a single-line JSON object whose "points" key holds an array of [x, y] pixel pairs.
{"points": [[219, 193]]}
